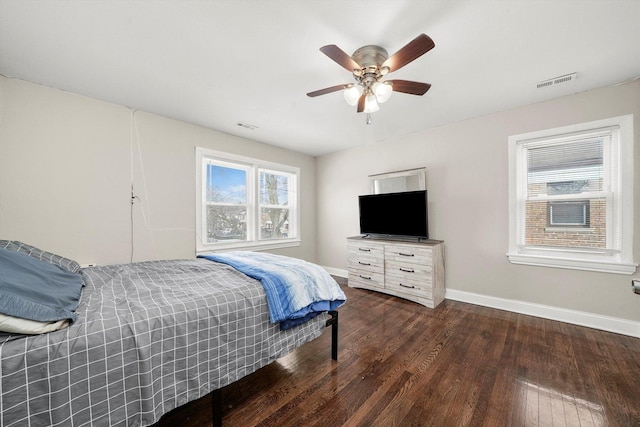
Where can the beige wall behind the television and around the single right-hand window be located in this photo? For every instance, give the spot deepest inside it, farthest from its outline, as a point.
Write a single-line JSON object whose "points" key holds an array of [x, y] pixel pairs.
{"points": [[468, 202]]}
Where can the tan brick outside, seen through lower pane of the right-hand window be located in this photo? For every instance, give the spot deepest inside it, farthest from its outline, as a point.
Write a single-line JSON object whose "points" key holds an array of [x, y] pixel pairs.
{"points": [[540, 231]]}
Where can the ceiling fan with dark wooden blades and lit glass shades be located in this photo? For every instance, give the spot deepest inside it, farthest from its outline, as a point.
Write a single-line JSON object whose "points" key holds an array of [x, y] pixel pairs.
{"points": [[369, 65]]}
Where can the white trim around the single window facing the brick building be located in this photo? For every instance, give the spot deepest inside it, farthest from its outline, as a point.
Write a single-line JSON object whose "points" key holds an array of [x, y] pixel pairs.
{"points": [[602, 261]]}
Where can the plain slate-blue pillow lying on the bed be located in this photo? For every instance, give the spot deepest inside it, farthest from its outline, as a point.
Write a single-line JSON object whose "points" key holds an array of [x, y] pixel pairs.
{"points": [[37, 290]]}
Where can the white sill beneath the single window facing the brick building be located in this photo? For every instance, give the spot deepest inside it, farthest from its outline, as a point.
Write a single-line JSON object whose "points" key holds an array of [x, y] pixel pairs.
{"points": [[599, 265]]}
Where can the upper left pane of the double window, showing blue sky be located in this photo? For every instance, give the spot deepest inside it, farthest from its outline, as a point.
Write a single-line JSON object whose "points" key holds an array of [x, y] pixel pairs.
{"points": [[226, 185]]}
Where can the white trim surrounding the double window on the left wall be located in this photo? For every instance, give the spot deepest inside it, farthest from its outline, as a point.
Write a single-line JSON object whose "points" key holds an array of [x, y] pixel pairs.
{"points": [[255, 244]]}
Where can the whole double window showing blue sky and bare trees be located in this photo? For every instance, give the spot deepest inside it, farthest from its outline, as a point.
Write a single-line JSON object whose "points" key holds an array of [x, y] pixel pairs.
{"points": [[245, 203]]}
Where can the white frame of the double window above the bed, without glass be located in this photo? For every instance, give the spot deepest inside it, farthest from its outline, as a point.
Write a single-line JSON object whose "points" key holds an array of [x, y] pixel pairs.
{"points": [[252, 166]]}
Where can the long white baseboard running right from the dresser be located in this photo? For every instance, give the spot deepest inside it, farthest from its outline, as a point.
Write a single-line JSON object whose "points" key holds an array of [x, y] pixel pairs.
{"points": [[581, 318]]}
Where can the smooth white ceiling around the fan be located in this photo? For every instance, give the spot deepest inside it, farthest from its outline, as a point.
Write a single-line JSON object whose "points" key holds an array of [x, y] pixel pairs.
{"points": [[218, 63]]}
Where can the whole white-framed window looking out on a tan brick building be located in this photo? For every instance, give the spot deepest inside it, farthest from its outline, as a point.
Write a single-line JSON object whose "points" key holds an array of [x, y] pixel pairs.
{"points": [[570, 197]]}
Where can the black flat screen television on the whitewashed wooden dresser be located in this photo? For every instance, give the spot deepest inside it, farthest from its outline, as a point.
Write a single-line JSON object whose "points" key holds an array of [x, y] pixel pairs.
{"points": [[395, 214]]}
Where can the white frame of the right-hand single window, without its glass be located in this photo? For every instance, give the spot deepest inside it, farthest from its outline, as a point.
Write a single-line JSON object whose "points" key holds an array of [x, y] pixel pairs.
{"points": [[618, 256]]}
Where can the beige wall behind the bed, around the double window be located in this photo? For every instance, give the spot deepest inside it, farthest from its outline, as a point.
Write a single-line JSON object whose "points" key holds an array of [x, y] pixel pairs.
{"points": [[66, 167]]}
